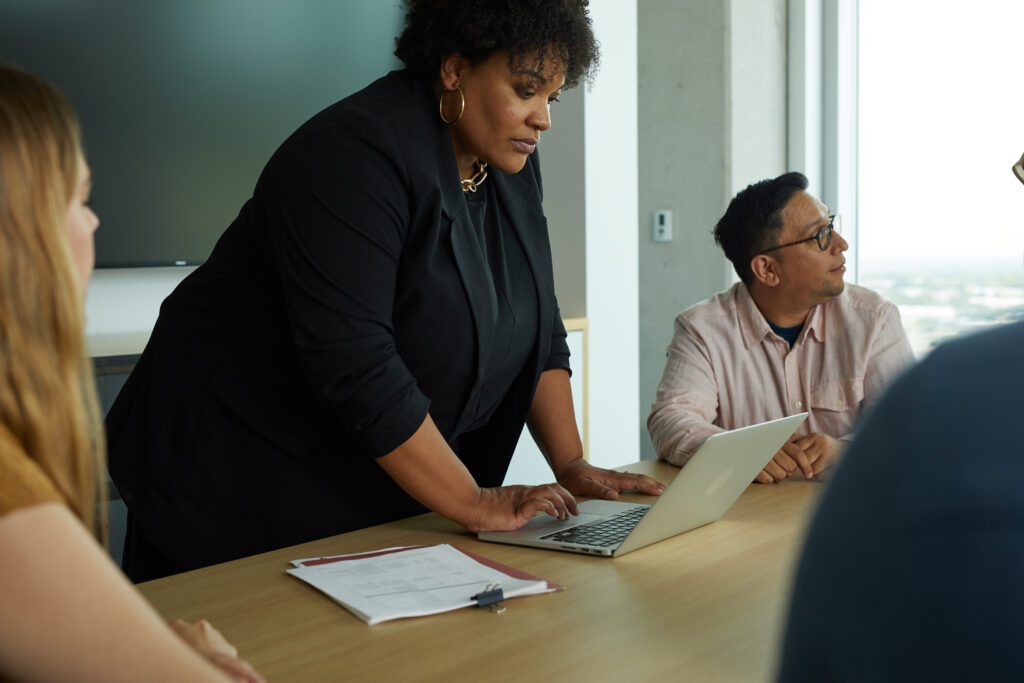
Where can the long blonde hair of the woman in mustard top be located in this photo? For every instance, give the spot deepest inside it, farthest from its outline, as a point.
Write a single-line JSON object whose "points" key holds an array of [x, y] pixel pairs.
{"points": [[48, 396]]}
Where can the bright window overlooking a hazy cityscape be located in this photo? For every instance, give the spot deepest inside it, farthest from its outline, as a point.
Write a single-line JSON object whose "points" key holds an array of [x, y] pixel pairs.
{"points": [[942, 120]]}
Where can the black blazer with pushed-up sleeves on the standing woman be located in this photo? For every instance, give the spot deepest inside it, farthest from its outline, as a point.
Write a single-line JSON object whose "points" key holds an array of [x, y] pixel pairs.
{"points": [[348, 300]]}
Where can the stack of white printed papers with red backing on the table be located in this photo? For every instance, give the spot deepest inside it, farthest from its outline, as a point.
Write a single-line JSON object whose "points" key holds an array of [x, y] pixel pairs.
{"points": [[413, 581]]}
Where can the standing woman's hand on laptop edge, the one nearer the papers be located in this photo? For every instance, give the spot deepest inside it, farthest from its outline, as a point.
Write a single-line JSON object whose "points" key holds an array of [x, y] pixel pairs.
{"points": [[508, 508]]}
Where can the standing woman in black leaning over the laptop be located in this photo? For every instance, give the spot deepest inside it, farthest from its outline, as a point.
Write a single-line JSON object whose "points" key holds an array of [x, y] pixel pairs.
{"points": [[370, 335]]}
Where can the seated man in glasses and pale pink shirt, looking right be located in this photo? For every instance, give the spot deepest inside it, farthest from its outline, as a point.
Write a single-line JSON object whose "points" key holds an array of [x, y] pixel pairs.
{"points": [[790, 337]]}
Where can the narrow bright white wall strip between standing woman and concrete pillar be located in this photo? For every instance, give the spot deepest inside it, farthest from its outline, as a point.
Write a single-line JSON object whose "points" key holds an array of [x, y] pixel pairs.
{"points": [[611, 168]]}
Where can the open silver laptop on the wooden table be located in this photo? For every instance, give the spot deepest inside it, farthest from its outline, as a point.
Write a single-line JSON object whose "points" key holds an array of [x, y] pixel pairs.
{"points": [[721, 469]]}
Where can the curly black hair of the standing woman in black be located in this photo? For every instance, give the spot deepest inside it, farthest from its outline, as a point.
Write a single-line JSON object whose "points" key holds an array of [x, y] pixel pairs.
{"points": [[558, 30]]}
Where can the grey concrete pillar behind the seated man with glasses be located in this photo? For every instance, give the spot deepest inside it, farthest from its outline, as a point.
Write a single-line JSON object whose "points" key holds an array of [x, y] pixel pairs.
{"points": [[713, 116]]}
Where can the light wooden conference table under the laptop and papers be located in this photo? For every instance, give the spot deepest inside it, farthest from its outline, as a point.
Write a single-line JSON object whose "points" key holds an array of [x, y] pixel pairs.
{"points": [[707, 606]]}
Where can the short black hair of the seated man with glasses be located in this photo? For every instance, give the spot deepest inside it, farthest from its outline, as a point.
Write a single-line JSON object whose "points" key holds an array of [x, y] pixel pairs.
{"points": [[754, 220]]}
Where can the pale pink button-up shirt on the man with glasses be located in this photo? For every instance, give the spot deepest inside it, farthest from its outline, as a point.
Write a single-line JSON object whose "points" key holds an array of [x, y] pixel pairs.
{"points": [[728, 369]]}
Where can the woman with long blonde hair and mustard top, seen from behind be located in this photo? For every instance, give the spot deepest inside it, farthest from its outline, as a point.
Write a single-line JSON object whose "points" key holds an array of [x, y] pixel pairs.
{"points": [[66, 612]]}
